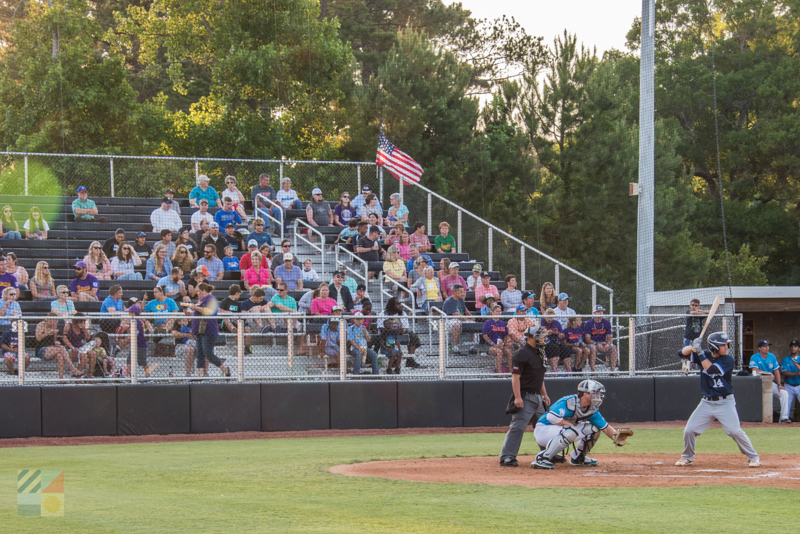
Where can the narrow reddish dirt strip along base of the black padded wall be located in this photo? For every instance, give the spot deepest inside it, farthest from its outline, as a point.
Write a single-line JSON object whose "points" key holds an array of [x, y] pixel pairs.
{"points": [[233, 436]]}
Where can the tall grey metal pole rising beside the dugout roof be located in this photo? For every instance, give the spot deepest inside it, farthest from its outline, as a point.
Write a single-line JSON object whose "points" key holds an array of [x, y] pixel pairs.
{"points": [[645, 238]]}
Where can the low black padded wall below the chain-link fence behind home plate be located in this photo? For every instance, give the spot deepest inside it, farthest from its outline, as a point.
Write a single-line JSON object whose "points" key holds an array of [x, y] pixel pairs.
{"points": [[94, 410]]}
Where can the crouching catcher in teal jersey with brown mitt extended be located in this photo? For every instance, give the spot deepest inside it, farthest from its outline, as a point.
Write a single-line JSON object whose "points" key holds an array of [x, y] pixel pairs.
{"points": [[575, 419]]}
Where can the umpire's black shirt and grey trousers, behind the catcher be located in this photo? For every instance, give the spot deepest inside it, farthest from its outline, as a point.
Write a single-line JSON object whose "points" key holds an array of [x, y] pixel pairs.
{"points": [[528, 363]]}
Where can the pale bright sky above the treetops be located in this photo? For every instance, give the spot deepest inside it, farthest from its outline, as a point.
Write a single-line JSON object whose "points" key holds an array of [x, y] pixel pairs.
{"points": [[603, 24]]}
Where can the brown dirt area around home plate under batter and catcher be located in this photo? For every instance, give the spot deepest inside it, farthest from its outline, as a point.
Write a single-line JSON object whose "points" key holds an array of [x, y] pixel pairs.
{"points": [[614, 470]]}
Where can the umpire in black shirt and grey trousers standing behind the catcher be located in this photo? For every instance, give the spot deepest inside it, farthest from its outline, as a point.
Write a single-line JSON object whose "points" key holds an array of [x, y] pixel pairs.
{"points": [[530, 395]]}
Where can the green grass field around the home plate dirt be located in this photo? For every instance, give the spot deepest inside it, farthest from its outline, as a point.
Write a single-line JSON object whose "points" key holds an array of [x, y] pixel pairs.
{"points": [[283, 485]]}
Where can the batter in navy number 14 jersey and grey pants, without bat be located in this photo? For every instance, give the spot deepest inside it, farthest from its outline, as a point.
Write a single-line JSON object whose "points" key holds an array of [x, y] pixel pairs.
{"points": [[718, 401]]}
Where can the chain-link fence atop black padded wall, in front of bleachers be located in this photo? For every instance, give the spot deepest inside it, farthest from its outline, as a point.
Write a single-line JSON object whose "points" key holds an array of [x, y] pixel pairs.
{"points": [[273, 346]]}
